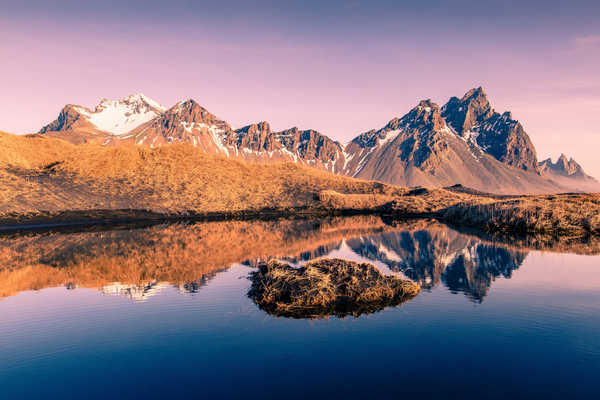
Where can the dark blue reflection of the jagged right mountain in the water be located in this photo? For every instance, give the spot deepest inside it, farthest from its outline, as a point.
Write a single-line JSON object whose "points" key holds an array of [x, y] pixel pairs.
{"points": [[440, 254]]}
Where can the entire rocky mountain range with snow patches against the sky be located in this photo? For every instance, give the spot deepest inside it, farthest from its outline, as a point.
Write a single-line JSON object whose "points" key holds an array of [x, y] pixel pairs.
{"points": [[463, 142]]}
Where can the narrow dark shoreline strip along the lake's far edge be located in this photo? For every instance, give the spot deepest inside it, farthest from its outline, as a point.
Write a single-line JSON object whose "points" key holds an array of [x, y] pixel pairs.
{"points": [[73, 219]]}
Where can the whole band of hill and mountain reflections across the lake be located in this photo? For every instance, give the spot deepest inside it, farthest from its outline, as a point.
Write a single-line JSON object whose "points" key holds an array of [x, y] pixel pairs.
{"points": [[140, 262]]}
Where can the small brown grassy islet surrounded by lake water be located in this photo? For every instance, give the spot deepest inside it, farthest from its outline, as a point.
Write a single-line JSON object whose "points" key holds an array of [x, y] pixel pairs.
{"points": [[327, 287]]}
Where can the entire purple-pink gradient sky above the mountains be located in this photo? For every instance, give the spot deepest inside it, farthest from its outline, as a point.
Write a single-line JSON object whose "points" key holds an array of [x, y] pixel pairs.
{"points": [[340, 67]]}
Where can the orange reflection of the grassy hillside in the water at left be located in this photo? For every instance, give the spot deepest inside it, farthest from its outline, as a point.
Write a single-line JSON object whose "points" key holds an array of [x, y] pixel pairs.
{"points": [[185, 255]]}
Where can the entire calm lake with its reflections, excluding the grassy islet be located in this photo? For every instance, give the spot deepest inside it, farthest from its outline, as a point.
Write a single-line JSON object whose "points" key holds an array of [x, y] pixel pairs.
{"points": [[162, 312]]}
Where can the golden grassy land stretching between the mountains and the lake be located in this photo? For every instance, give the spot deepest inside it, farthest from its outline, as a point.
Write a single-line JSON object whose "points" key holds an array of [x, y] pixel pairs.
{"points": [[44, 180]]}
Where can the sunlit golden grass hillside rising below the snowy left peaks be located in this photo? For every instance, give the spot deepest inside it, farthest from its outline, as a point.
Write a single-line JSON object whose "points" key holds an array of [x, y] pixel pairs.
{"points": [[172, 179]]}
